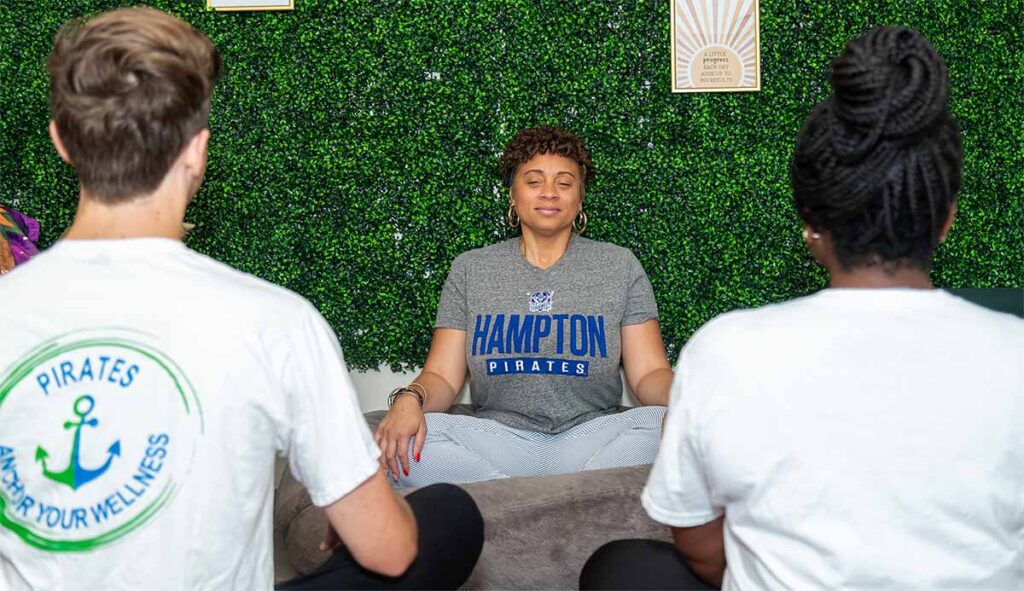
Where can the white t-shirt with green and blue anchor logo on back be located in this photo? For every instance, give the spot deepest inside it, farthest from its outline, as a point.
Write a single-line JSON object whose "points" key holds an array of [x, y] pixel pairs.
{"points": [[145, 394]]}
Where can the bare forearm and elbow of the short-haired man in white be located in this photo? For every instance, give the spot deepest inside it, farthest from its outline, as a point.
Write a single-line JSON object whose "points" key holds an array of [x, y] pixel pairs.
{"points": [[376, 526]]}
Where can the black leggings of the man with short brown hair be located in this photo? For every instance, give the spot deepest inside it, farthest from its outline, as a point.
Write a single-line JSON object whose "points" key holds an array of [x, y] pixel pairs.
{"points": [[451, 539]]}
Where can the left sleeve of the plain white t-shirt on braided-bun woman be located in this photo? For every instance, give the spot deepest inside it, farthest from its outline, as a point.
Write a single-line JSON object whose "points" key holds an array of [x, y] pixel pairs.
{"points": [[678, 493]]}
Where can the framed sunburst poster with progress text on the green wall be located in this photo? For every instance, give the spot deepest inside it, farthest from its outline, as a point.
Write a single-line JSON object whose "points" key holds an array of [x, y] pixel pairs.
{"points": [[716, 47]]}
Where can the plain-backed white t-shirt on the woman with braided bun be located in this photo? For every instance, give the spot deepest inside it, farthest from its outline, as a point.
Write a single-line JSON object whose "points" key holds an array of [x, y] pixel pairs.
{"points": [[854, 440]]}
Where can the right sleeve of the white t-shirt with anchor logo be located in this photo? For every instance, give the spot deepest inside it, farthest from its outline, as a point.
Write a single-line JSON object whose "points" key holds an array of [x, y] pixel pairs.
{"points": [[331, 450]]}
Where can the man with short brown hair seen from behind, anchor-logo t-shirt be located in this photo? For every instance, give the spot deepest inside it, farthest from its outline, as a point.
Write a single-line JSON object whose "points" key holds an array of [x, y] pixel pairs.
{"points": [[146, 390]]}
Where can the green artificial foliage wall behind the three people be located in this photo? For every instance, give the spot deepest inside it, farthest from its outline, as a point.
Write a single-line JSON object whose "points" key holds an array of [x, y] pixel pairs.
{"points": [[355, 146]]}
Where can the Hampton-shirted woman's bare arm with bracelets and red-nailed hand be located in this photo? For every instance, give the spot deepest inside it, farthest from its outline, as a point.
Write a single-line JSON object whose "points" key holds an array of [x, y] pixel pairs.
{"points": [[443, 377]]}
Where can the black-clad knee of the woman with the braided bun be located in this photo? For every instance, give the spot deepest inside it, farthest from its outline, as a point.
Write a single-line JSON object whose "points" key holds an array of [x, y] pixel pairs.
{"points": [[639, 565]]}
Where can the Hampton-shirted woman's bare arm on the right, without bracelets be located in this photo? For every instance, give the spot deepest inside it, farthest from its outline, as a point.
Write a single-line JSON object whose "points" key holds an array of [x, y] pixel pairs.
{"points": [[648, 370]]}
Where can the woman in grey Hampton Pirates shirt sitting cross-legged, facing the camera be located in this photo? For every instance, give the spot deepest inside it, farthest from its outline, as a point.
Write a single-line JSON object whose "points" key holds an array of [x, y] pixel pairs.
{"points": [[542, 323]]}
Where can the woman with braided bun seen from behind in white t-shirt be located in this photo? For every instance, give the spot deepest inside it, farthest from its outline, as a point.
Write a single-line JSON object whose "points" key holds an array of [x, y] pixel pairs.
{"points": [[871, 436]]}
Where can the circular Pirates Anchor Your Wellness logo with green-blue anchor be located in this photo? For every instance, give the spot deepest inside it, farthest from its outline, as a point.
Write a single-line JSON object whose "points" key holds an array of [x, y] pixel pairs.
{"points": [[98, 431]]}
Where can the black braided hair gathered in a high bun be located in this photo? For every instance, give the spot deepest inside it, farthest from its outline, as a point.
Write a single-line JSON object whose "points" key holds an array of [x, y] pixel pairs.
{"points": [[879, 164]]}
